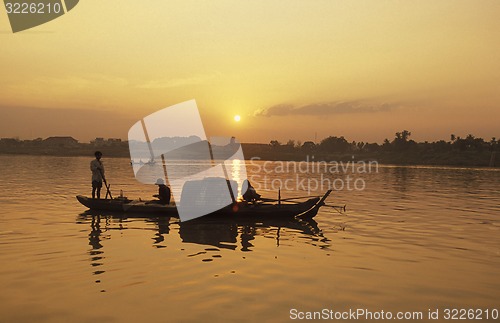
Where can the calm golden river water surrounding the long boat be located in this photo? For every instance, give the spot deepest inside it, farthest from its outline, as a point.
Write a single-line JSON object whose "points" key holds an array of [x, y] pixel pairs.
{"points": [[415, 238]]}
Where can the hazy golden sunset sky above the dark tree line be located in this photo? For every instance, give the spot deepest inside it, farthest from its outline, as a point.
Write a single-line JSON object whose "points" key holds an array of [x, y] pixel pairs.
{"points": [[301, 70]]}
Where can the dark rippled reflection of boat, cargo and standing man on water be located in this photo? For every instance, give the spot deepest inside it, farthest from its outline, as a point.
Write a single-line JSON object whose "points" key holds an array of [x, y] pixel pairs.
{"points": [[213, 235]]}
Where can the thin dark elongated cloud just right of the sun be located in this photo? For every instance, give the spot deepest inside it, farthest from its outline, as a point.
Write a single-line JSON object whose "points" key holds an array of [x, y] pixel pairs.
{"points": [[324, 109]]}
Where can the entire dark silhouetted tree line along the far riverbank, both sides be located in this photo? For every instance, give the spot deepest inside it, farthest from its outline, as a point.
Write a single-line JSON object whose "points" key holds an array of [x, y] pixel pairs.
{"points": [[401, 150]]}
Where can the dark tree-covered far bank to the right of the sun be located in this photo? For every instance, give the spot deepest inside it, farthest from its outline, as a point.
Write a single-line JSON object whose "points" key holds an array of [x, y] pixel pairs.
{"points": [[401, 150]]}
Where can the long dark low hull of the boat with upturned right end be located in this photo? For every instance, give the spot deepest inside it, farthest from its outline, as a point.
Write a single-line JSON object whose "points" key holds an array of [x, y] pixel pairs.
{"points": [[306, 209]]}
